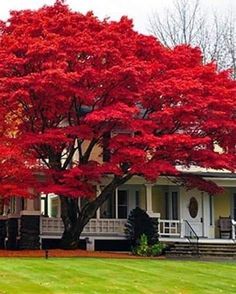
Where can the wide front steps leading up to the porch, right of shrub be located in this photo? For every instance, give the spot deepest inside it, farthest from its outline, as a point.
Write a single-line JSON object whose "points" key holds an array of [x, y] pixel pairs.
{"points": [[204, 250]]}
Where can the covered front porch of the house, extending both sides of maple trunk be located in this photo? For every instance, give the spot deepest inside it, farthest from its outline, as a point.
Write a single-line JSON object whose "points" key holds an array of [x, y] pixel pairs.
{"points": [[181, 214]]}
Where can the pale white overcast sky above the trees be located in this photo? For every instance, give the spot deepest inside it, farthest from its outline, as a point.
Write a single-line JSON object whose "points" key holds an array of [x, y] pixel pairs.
{"points": [[139, 10]]}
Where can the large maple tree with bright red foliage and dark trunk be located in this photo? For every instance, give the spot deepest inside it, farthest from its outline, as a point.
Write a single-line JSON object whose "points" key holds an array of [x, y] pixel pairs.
{"points": [[70, 83]]}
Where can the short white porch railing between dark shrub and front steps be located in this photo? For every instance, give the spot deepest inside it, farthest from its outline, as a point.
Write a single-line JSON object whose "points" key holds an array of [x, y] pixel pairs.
{"points": [[170, 228]]}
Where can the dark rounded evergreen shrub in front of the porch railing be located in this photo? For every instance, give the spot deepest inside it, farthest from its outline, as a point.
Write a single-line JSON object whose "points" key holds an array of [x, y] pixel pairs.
{"points": [[140, 223]]}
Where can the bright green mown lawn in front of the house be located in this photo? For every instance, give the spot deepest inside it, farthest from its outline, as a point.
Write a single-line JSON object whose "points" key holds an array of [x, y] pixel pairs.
{"points": [[93, 275]]}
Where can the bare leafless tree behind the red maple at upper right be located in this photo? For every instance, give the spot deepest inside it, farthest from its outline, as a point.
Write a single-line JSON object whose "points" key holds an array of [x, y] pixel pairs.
{"points": [[185, 23]]}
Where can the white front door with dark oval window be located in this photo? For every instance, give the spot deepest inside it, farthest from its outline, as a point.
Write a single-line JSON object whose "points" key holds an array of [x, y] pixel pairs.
{"points": [[192, 209]]}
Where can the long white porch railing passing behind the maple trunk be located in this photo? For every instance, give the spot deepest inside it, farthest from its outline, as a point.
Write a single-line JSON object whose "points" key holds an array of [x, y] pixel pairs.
{"points": [[54, 226]]}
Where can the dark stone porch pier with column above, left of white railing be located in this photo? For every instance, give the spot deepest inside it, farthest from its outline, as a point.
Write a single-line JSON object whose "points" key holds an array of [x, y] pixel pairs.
{"points": [[30, 225]]}
